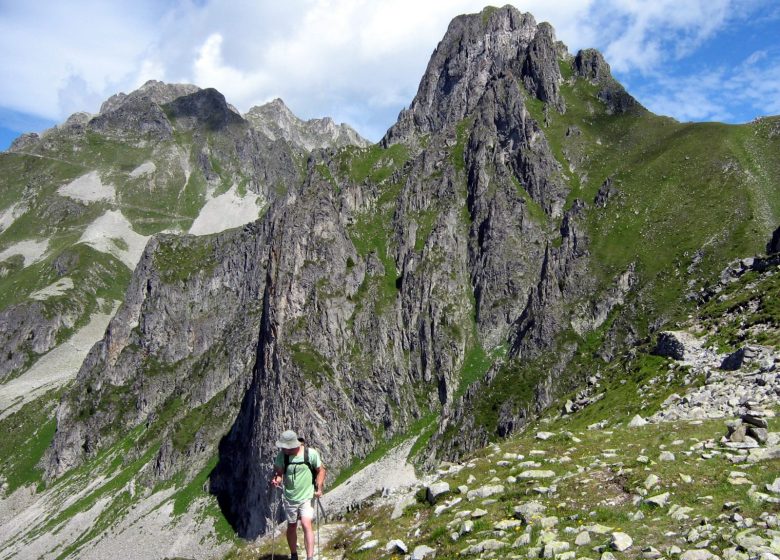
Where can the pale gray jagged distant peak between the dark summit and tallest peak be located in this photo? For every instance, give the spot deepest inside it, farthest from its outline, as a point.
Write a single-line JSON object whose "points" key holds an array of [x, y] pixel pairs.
{"points": [[276, 121]]}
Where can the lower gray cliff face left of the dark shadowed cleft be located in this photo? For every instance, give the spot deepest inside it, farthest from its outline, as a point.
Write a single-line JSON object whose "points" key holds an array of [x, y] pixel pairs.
{"points": [[181, 346]]}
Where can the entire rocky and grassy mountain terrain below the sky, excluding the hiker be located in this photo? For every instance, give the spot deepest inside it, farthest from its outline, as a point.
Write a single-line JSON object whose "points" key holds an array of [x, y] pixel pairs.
{"points": [[534, 321]]}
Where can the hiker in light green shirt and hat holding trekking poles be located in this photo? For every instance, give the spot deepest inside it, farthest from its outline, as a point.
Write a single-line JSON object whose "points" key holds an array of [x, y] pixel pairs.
{"points": [[300, 469]]}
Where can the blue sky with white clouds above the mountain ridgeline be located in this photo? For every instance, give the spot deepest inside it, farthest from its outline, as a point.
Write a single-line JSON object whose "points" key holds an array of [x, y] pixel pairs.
{"points": [[360, 61]]}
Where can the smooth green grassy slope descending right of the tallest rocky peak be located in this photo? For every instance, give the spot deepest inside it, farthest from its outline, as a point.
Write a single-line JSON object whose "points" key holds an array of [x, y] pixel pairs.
{"points": [[682, 189]]}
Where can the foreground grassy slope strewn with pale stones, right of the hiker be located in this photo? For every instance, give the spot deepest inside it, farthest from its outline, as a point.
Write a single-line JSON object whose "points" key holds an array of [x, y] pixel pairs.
{"points": [[601, 469]]}
